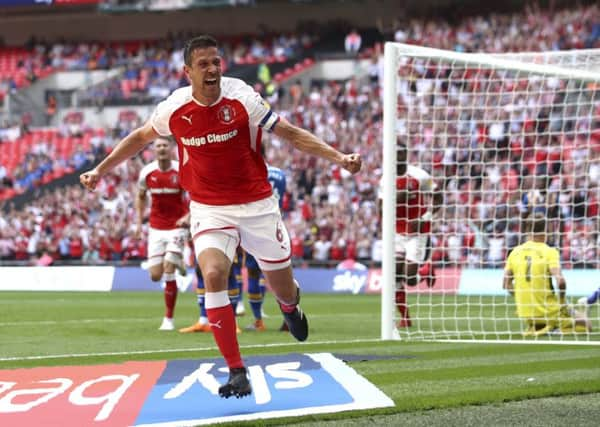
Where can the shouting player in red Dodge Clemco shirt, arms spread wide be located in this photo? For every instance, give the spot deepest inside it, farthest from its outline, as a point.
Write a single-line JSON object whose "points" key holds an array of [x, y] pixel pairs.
{"points": [[218, 124]]}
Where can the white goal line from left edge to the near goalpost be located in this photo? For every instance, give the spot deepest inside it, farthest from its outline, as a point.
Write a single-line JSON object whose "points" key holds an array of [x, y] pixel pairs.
{"points": [[178, 350]]}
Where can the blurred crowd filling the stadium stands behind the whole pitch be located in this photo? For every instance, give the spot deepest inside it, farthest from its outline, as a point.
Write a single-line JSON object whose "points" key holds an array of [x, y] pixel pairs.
{"points": [[495, 158]]}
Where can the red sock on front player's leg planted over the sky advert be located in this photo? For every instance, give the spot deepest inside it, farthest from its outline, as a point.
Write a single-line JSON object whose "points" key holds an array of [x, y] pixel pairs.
{"points": [[222, 323]]}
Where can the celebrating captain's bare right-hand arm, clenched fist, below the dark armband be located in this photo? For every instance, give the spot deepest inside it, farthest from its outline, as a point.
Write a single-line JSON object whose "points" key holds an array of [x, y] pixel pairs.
{"points": [[309, 143]]}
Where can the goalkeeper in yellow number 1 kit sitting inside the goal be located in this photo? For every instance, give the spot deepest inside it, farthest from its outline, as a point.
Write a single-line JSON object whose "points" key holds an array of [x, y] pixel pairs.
{"points": [[528, 275]]}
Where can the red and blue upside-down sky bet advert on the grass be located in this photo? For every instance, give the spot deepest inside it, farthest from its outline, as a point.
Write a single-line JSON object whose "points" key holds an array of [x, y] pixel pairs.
{"points": [[181, 392]]}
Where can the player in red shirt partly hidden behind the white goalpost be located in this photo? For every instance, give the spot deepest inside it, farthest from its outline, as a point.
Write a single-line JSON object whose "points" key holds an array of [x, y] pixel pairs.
{"points": [[417, 199]]}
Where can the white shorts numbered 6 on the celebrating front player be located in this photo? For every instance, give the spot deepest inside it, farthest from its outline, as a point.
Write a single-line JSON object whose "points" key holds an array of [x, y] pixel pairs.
{"points": [[256, 226]]}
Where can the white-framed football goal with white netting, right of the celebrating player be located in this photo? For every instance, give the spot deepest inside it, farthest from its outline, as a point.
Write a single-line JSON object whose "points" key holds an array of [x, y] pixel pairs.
{"points": [[504, 137]]}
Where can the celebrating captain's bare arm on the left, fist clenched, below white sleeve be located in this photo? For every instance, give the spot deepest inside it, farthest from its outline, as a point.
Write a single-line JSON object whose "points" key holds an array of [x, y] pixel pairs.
{"points": [[126, 148]]}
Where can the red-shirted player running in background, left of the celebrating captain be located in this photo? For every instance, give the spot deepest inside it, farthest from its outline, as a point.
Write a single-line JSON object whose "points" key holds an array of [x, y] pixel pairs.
{"points": [[169, 222]]}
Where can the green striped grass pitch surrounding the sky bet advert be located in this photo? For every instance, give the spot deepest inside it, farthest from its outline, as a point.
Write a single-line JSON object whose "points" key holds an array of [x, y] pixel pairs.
{"points": [[431, 383]]}
